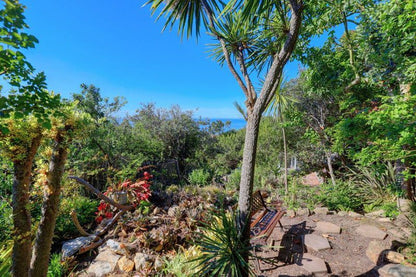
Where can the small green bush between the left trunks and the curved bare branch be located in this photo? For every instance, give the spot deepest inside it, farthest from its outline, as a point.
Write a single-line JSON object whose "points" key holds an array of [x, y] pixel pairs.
{"points": [[85, 209]]}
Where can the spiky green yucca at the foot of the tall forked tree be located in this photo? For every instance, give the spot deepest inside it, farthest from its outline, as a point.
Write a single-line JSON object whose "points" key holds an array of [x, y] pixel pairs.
{"points": [[222, 249]]}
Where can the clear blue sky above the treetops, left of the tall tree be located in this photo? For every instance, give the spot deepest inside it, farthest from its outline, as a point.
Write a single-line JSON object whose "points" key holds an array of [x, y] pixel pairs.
{"points": [[118, 47]]}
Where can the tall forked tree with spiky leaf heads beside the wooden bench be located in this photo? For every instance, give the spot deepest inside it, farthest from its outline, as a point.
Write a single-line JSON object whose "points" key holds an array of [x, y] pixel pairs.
{"points": [[253, 38]]}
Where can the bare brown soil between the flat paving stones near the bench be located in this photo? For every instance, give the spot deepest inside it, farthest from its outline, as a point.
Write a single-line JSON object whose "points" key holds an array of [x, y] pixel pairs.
{"points": [[346, 257]]}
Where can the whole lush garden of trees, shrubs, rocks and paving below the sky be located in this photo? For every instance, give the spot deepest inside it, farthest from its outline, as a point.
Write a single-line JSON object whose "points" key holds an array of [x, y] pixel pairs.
{"points": [[162, 192]]}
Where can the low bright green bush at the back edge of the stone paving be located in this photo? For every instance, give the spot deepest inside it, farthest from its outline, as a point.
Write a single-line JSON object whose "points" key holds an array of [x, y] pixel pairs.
{"points": [[344, 196]]}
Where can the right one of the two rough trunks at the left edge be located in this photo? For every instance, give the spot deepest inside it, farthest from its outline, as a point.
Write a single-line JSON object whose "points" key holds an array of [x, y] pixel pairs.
{"points": [[41, 251]]}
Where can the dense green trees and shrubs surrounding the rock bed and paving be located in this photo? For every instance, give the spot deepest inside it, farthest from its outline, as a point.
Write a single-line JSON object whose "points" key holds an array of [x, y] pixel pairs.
{"points": [[350, 116]]}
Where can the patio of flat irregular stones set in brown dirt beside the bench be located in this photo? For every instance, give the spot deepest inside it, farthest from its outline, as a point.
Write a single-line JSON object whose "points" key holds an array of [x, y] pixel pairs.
{"points": [[348, 244]]}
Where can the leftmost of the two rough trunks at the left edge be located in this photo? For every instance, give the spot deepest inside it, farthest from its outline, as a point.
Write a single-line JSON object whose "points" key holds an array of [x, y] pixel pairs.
{"points": [[22, 247]]}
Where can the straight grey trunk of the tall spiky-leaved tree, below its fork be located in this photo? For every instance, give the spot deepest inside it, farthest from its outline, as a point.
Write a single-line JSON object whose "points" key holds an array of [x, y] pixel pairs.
{"points": [[247, 177]]}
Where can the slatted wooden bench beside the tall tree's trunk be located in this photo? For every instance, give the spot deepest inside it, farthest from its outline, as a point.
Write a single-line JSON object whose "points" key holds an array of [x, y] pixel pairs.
{"points": [[263, 219]]}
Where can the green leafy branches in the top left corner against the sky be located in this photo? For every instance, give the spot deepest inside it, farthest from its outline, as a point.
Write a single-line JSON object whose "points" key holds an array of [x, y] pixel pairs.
{"points": [[27, 91]]}
